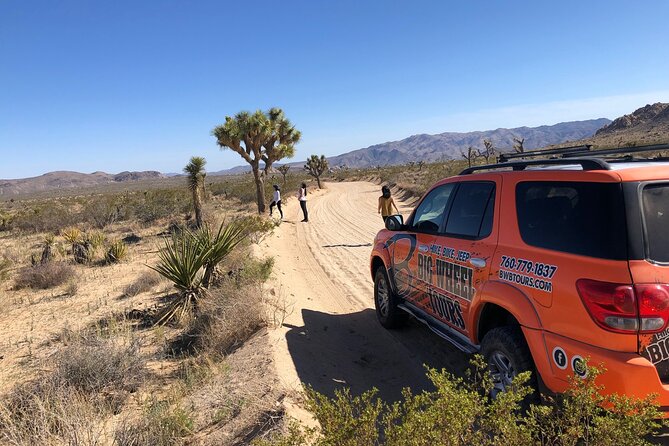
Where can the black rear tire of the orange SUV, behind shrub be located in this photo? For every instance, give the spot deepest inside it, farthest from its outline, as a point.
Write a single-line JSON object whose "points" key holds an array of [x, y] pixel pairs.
{"points": [[507, 355]]}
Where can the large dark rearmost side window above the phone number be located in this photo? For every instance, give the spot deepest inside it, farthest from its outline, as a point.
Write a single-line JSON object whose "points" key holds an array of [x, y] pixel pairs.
{"points": [[574, 217]]}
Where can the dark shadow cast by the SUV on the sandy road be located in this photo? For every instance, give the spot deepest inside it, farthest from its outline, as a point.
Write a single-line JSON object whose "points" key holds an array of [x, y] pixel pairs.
{"points": [[352, 350]]}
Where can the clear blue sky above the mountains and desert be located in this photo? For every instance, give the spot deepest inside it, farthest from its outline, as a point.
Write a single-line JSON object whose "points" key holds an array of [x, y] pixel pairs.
{"points": [[138, 85]]}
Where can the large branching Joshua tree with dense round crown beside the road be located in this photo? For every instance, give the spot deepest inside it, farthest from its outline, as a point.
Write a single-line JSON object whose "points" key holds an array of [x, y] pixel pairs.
{"points": [[260, 136]]}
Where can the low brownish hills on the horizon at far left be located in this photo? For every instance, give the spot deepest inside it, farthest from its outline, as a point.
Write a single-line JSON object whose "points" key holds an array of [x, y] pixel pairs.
{"points": [[65, 180]]}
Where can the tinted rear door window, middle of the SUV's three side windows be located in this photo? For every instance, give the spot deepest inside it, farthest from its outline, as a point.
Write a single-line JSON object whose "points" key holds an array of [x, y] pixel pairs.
{"points": [[472, 211]]}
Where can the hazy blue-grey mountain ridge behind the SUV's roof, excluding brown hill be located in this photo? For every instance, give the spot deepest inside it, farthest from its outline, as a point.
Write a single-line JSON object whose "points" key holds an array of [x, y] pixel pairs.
{"points": [[451, 145]]}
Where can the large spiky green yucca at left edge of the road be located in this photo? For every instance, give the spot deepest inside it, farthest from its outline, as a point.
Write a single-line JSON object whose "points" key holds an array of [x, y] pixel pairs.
{"points": [[189, 259]]}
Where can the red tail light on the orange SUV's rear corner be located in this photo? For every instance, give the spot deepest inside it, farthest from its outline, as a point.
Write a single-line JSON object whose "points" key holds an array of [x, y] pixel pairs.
{"points": [[622, 308]]}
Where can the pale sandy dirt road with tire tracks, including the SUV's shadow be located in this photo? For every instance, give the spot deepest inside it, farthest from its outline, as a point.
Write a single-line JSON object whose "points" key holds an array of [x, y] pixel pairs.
{"points": [[331, 337]]}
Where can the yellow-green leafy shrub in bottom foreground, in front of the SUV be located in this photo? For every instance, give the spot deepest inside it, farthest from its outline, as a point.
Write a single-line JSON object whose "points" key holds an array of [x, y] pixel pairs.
{"points": [[460, 412]]}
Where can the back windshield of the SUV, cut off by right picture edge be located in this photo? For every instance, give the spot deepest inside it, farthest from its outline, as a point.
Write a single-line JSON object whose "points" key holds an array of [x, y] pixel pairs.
{"points": [[655, 202]]}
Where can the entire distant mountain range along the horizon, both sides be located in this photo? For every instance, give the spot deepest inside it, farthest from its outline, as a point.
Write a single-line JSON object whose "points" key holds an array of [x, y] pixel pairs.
{"points": [[647, 125]]}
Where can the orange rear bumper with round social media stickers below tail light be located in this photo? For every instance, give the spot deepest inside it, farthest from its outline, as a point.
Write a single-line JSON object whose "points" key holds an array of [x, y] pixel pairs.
{"points": [[625, 373]]}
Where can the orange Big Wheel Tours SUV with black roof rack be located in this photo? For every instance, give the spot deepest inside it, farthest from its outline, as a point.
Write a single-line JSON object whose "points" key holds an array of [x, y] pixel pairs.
{"points": [[539, 264]]}
